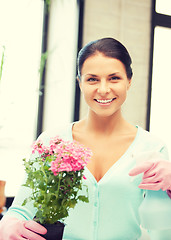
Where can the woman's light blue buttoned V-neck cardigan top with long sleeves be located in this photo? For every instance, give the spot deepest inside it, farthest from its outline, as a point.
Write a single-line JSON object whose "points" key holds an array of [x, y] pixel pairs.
{"points": [[112, 211]]}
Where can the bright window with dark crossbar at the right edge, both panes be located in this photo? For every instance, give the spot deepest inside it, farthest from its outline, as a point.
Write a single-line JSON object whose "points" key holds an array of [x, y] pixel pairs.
{"points": [[160, 117]]}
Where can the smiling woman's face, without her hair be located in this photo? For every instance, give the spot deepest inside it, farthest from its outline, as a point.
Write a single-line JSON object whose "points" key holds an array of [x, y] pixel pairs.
{"points": [[104, 84]]}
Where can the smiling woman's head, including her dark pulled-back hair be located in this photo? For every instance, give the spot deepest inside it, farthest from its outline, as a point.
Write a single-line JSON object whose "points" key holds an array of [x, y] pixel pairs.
{"points": [[104, 74]]}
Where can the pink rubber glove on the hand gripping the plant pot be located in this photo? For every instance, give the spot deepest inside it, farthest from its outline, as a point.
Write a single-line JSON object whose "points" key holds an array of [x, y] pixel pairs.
{"points": [[12, 228]]}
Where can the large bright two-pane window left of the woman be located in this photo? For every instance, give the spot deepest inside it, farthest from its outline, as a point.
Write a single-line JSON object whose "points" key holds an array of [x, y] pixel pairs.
{"points": [[21, 24]]}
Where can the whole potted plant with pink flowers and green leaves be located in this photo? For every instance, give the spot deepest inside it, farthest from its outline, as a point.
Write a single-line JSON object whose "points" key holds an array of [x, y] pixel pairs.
{"points": [[55, 174]]}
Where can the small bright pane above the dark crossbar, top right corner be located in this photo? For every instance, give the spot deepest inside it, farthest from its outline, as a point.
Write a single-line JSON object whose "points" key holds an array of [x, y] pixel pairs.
{"points": [[163, 6]]}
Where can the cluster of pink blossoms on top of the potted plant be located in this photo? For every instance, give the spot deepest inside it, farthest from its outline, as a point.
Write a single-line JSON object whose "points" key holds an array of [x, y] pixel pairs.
{"points": [[69, 156]]}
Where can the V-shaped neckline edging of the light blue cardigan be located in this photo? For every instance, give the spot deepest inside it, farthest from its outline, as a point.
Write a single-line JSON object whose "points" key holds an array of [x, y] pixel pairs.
{"points": [[115, 165]]}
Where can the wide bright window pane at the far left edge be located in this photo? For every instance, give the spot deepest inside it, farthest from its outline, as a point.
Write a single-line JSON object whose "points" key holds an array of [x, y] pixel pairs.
{"points": [[21, 34]]}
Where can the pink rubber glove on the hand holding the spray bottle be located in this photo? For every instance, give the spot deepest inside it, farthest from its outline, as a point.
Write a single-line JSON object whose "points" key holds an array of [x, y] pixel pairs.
{"points": [[157, 175]]}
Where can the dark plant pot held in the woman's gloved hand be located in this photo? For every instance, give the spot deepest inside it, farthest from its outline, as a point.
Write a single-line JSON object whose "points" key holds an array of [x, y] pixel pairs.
{"points": [[54, 231]]}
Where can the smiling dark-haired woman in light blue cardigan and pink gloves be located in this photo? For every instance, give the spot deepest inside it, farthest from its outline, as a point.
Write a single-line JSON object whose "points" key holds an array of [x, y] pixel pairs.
{"points": [[104, 76]]}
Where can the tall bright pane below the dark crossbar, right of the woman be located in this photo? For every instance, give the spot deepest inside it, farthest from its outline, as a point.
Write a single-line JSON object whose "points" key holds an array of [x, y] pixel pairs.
{"points": [[161, 86]]}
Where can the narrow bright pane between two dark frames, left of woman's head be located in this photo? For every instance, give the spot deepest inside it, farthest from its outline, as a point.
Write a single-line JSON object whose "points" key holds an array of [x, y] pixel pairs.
{"points": [[61, 65]]}
